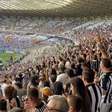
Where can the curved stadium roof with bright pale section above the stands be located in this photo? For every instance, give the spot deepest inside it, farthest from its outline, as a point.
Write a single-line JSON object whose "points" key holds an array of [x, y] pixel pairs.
{"points": [[57, 7]]}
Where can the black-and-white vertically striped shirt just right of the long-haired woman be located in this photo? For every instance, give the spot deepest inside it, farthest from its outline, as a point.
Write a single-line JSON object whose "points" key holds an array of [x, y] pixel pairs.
{"points": [[95, 95]]}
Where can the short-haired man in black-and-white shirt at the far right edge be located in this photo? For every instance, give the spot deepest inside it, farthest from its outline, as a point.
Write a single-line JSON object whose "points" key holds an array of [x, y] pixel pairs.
{"points": [[106, 84]]}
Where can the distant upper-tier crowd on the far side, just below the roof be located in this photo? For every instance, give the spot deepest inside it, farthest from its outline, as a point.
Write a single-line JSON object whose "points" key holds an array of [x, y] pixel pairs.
{"points": [[45, 25]]}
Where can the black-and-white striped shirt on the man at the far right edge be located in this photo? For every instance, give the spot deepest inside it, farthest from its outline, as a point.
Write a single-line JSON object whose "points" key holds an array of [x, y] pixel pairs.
{"points": [[106, 85]]}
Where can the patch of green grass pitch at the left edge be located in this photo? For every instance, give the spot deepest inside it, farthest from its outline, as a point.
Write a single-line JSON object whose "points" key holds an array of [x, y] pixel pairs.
{"points": [[5, 57]]}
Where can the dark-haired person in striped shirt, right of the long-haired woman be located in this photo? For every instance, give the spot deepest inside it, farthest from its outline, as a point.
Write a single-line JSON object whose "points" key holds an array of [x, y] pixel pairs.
{"points": [[94, 90]]}
